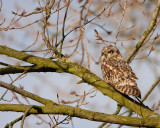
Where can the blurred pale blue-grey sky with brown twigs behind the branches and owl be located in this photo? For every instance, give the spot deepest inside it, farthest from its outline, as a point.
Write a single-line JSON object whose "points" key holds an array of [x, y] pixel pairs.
{"points": [[122, 22]]}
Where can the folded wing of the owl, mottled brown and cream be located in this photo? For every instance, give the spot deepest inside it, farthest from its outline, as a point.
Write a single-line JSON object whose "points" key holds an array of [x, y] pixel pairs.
{"points": [[123, 78]]}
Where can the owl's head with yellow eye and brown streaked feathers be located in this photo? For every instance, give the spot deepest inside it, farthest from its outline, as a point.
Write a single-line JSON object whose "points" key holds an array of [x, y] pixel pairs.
{"points": [[110, 52]]}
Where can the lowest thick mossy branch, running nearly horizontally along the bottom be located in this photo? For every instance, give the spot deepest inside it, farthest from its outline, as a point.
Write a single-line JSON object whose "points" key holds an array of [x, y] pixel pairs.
{"points": [[81, 113]]}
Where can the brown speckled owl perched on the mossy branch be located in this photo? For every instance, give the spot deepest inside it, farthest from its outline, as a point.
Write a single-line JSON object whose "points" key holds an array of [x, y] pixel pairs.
{"points": [[117, 72]]}
